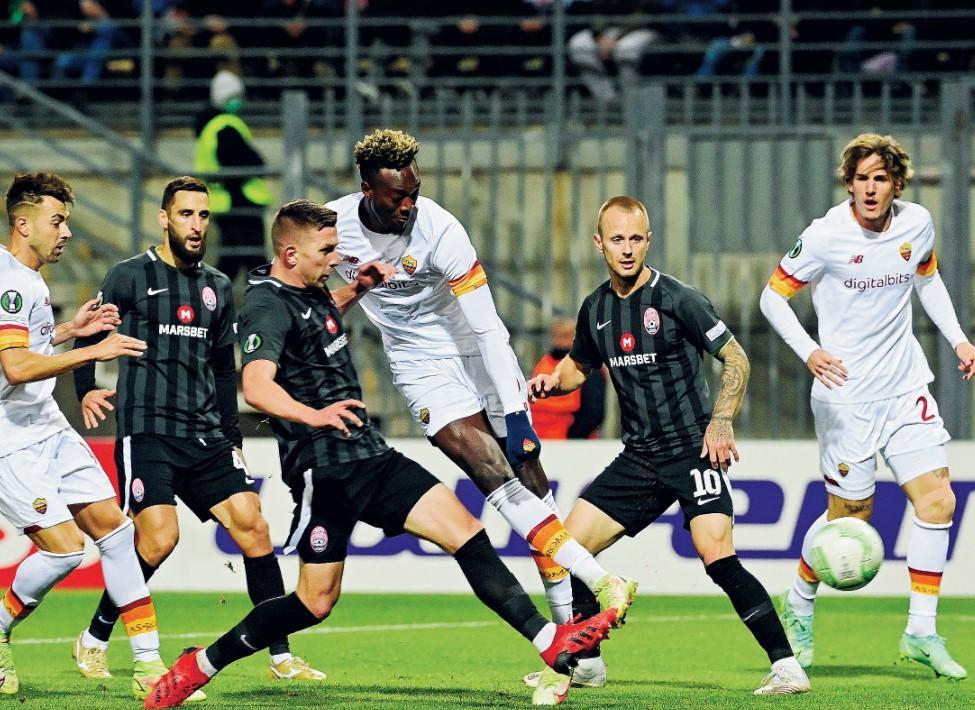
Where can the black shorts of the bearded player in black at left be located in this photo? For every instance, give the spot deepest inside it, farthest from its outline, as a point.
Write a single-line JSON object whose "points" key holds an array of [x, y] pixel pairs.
{"points": [[154, 469]]}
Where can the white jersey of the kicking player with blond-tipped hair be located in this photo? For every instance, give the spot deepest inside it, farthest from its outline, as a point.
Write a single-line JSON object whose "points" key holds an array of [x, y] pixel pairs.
{"points": [[417, 310]]}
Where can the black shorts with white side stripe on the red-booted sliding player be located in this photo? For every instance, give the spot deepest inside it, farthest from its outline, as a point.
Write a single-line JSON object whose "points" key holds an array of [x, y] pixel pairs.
{"points": [[330, 500]]}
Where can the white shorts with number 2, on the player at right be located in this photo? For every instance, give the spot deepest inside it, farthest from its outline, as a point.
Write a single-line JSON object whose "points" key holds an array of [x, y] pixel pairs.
{"points": [[908, 430]]}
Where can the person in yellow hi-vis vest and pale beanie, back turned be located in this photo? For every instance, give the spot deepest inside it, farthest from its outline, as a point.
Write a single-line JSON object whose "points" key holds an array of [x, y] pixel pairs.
{"points": [[236, 202]]}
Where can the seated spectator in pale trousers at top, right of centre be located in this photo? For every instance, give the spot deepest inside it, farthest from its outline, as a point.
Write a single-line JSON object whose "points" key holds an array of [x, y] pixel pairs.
{"points": [[614, 40]]}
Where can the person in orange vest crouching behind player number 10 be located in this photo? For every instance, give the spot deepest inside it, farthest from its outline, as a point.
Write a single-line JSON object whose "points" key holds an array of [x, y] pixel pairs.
{"points": [[579, 414]]}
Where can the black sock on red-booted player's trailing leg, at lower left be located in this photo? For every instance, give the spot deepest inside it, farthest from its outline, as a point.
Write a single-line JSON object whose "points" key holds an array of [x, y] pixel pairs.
{"points": [[265, 623]]}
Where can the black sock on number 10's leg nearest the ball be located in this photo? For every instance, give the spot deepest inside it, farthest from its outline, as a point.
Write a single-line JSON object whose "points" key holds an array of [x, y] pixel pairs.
{"points": [[753, 605]]}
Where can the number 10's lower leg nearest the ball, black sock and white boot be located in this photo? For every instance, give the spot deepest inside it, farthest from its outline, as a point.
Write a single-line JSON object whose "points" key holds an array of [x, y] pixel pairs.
{"points": [[712, 537]]}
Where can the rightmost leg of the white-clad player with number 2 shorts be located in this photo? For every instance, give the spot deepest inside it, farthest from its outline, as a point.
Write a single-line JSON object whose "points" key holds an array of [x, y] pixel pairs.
{"points": [[927, 552]]}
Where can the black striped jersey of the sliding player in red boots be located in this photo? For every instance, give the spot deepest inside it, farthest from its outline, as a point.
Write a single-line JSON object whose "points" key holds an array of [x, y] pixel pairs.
{"points": [[300, 329]]}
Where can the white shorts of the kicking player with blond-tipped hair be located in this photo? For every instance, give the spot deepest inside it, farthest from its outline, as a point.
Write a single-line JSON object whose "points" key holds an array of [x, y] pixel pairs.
{"points": [[444, 390]]}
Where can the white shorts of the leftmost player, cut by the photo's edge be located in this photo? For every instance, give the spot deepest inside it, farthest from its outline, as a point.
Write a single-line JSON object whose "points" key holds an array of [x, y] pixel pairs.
{"points": [[38, 483]]}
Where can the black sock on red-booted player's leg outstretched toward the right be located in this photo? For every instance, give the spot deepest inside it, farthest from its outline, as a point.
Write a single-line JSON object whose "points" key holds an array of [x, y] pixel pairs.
{"points": [[496, 587]]}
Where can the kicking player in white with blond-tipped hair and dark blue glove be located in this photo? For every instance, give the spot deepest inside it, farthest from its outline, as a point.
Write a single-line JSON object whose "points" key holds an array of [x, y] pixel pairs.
{"points": [[451, 360]]}
